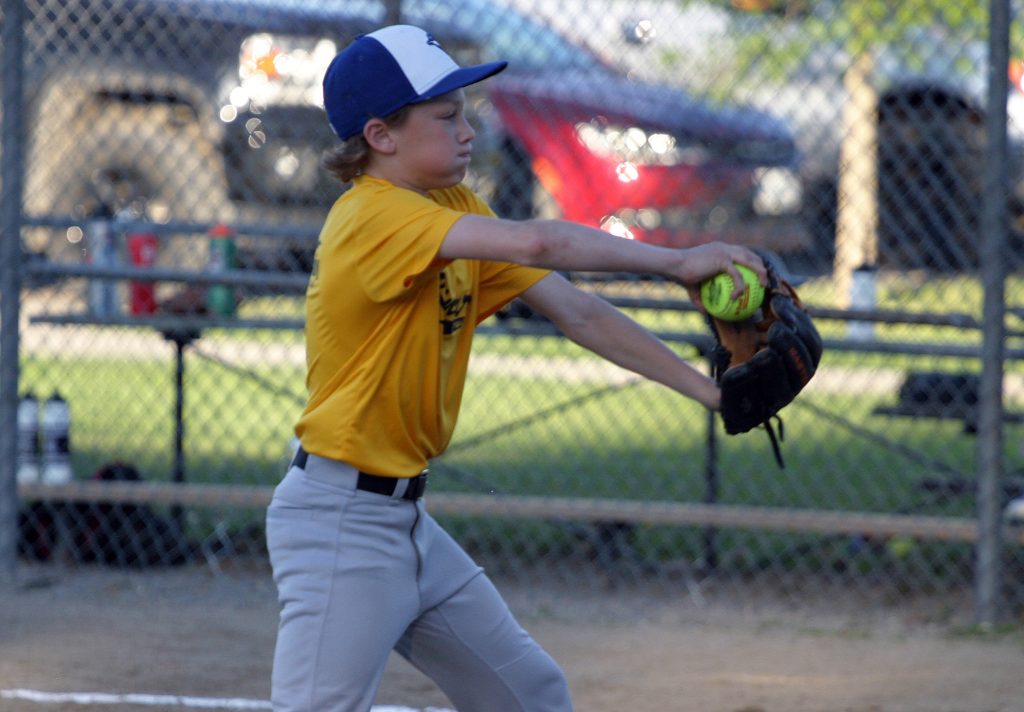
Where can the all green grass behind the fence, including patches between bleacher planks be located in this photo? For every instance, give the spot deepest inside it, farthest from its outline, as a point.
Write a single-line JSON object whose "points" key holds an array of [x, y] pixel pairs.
{"points": [[539, 433]]}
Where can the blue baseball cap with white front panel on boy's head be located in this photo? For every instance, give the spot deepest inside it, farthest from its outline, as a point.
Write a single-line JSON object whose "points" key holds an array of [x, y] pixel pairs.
{"points": [[381, 72]]}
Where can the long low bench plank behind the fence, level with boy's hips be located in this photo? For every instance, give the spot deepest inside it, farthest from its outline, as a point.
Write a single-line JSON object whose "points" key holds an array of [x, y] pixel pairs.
{"points": [[556, 509]]}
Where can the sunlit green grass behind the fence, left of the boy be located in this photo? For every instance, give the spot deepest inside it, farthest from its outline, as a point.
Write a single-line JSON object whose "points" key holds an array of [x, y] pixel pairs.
{"points": [[235, 430]]}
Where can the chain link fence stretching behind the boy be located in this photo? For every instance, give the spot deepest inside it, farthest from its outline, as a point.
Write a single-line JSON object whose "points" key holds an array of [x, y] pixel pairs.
{"points": [[172, 197]]}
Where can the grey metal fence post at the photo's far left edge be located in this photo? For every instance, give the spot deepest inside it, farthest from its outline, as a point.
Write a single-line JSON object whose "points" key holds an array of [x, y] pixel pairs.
{"points": [[11, 261]]}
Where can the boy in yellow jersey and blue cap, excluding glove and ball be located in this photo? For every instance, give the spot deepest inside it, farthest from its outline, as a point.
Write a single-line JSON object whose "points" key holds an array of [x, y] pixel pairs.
{"points": [[409, 263]]}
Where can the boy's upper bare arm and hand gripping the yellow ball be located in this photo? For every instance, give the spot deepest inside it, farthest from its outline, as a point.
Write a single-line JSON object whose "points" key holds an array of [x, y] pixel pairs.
{"points": [[563, 245]]}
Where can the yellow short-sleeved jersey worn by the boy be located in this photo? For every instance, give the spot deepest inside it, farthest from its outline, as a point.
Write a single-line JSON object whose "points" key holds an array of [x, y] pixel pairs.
{"points": [[390, 326]]}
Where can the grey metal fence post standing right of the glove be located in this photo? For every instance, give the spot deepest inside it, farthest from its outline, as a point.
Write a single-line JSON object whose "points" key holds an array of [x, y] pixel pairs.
{"points": [[995, 225]]}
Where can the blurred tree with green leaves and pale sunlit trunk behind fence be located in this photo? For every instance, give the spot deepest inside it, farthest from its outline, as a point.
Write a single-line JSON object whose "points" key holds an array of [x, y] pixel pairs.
{"points": [[776, 37]]}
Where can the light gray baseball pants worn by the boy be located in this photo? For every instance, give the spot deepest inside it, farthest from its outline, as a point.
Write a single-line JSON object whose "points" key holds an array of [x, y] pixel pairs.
{"points": [[360, 574]]}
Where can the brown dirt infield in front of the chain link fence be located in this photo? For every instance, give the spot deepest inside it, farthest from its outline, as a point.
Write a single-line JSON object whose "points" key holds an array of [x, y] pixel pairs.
{"points": [[188, 633]]}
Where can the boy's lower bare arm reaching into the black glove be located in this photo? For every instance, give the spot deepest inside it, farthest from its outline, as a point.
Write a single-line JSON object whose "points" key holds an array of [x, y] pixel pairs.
{"points": [[596, 325]]}
